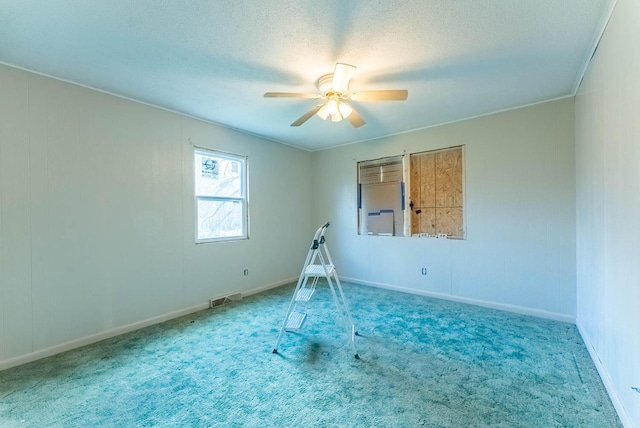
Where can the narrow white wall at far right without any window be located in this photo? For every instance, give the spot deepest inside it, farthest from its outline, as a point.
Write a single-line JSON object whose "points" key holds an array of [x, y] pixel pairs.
{"points": [[608, 208]]}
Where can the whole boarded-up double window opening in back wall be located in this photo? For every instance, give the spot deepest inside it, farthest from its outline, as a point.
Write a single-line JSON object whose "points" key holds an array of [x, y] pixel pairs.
{"points": [[432, 204]]}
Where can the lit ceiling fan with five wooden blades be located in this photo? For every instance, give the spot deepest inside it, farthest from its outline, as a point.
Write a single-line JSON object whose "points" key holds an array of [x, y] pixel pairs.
{"points": [[335, 94]]}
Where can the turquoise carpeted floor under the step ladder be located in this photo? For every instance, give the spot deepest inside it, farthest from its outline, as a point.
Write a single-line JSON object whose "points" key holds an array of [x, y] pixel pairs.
{"points": [[424, 362]]}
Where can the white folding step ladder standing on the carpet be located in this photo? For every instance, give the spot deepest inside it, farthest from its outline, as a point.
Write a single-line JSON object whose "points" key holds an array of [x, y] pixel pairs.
{"points": [[317, 265]]}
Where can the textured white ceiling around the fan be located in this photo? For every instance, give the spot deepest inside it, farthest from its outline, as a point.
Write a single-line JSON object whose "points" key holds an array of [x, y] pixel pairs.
{"points": [[215, 59]]}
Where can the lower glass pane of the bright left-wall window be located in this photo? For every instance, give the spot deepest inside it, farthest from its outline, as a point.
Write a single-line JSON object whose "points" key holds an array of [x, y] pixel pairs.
{"points": [[219, 219]]}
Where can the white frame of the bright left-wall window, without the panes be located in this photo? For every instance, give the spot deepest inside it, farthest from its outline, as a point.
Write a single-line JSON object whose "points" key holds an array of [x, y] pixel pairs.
{"points": [[243, 198]]}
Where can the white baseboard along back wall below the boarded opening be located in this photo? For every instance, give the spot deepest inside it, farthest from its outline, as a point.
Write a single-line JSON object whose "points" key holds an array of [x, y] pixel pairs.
{"points": [[492, 305]]}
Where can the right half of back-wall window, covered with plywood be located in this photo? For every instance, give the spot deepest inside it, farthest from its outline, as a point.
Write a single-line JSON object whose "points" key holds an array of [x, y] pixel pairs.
{"points": [[436, 193]]}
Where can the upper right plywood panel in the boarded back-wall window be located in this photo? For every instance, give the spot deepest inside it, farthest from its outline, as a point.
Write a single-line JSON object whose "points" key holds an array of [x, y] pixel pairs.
{"points": [[449, 178]]}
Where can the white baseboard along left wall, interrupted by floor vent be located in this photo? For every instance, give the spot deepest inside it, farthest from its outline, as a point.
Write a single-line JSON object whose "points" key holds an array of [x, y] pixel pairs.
{"points": [[88, 340]]}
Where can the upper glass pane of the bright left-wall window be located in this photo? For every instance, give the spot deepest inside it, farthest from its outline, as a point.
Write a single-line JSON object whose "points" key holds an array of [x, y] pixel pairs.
{"points": [[218, 176]]}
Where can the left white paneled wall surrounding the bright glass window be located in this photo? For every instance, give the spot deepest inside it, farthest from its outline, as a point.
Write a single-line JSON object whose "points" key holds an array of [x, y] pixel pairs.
{"points": [[97, 215]]}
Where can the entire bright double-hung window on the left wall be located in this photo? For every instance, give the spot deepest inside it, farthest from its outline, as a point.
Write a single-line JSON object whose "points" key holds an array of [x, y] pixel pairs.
{"points": [[220, 196]]}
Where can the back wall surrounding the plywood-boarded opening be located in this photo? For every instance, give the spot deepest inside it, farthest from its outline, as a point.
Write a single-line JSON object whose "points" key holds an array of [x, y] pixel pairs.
{"points": [[520, 214]]}
